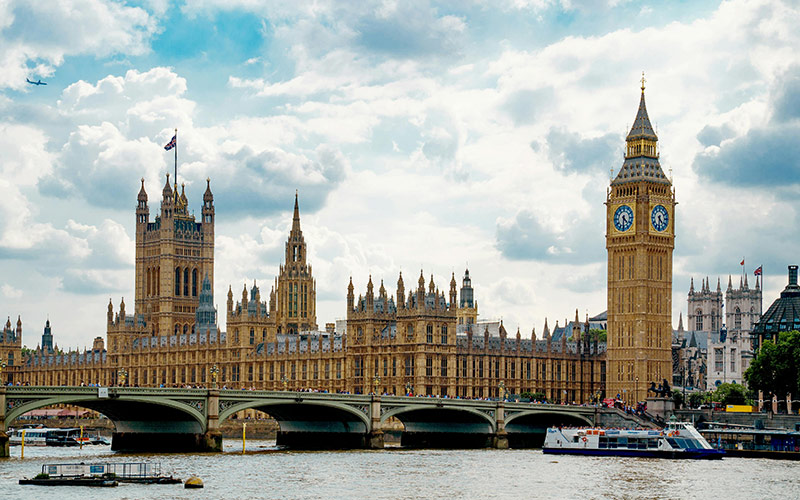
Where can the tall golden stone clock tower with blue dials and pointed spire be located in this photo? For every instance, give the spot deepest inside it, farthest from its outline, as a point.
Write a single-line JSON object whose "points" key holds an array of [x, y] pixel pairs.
{"points": [[640, 237]]}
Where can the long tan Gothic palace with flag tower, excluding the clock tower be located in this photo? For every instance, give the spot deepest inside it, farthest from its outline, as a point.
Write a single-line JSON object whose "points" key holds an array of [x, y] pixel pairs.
{"points": [[424, 342]]}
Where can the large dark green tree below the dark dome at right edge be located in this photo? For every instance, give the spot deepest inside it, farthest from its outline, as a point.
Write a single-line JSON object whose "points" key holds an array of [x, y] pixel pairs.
{"points": [[776, 368]]}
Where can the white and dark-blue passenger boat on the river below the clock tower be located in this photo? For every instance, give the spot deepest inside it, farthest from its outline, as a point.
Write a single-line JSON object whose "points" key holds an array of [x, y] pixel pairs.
{"points": [[677, 440]]}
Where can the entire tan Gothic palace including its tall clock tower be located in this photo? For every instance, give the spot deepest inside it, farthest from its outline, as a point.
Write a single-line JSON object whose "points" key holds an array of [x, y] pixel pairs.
{"points": [[421, 340]]}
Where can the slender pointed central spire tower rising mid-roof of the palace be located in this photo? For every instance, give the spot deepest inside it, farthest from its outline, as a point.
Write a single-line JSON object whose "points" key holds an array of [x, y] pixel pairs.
{"points": [[296, 291]]}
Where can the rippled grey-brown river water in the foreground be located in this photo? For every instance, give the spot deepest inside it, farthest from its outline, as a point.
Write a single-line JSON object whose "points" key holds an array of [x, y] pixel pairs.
{"points": [[269, 473]]}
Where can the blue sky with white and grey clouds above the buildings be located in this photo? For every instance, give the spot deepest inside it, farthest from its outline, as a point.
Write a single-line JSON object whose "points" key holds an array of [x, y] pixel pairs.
{"points": [[419, 135]]}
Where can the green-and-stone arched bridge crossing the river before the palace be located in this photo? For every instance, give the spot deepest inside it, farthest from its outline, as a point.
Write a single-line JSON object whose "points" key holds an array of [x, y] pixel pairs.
{"points": [[172, 420]]}
